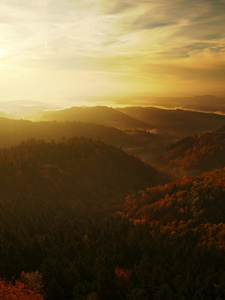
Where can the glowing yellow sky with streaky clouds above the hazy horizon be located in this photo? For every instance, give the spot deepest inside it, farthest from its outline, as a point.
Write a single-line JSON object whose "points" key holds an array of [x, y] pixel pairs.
{"points": [[77, 51]]}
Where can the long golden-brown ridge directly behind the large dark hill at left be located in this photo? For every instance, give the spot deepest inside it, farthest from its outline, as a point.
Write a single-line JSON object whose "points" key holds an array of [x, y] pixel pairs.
{"points": [[13, 132]]}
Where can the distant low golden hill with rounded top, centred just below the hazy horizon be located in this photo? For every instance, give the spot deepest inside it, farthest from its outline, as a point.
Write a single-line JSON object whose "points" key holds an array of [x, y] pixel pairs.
{"points": [[98, 114]]}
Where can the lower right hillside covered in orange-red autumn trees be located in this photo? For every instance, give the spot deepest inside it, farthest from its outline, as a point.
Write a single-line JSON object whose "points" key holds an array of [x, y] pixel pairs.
{"points": [[197, 200]]}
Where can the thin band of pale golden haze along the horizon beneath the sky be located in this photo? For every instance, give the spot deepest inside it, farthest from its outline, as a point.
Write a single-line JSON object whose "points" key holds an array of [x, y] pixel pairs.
{"points": [[32, 110]]}
